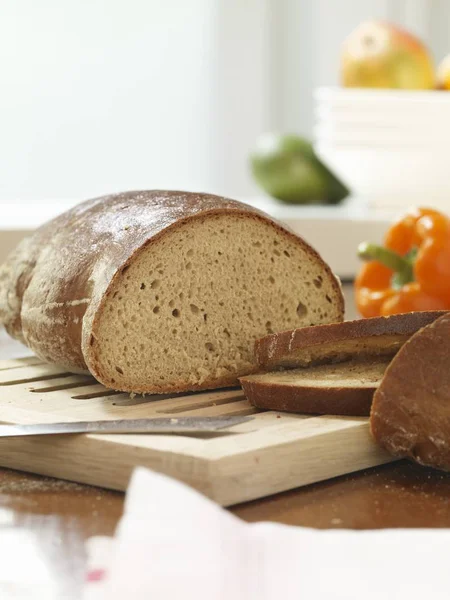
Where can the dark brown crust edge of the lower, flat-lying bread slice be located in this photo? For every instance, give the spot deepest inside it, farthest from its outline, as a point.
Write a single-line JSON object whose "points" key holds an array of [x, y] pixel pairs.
{"points": [[309, 400]]}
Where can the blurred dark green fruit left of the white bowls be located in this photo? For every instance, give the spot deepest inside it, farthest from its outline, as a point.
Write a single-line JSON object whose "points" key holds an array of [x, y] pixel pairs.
{"points": [[286, 167]]}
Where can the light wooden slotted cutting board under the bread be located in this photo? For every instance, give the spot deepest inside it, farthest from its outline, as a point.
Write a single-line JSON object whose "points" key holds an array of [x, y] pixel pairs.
{"points": [[272, 453]]}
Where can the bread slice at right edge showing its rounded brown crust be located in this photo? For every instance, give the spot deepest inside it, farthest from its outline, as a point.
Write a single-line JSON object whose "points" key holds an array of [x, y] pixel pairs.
{"points": [[411, 409]]}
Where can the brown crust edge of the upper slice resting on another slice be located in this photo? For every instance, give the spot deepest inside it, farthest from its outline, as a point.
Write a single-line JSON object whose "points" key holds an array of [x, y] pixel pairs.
{"points": [[270, 349]]}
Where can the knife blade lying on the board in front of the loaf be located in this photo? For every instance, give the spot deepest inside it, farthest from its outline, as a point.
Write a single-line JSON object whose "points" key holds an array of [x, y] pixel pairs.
{"points": [[158, 425]]}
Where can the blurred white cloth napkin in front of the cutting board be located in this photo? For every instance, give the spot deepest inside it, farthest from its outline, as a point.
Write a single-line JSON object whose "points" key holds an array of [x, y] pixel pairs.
{"points": [[174, 543]]}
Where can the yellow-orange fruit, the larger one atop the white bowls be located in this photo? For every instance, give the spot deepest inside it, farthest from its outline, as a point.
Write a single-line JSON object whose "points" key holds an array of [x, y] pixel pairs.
{"points": [[378, 54]]}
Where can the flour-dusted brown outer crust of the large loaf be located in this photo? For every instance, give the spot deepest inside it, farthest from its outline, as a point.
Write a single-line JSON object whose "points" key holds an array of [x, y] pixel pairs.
{"points": [[54, 285]]}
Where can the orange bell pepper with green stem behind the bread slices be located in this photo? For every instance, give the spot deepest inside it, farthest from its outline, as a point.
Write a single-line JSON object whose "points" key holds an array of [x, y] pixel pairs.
{"points": [[411, 271]]}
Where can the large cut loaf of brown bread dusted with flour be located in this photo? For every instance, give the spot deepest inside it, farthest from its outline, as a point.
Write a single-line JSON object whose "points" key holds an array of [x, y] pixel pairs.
{"points": [[162, 291]]}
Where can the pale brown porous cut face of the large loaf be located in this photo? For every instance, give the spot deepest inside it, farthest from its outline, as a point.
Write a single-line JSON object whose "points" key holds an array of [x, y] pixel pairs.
{"points": [[184, 314]]}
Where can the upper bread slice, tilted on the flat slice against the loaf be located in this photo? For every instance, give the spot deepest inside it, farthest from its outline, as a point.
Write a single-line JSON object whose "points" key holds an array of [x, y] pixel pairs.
{"points": [[338, 342]]}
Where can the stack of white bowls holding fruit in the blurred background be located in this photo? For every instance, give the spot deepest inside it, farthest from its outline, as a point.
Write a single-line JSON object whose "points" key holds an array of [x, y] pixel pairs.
{"points": [[391, 147]]}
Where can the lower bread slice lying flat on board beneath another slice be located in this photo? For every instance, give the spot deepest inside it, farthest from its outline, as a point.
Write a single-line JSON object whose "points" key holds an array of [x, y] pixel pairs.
{"points": [[334, 389]]}
